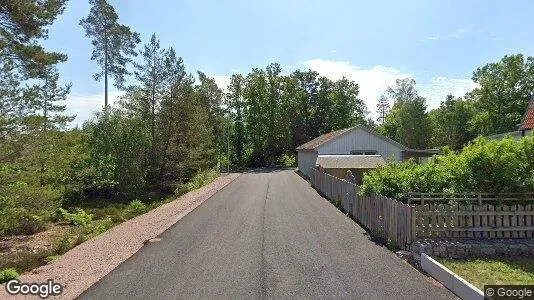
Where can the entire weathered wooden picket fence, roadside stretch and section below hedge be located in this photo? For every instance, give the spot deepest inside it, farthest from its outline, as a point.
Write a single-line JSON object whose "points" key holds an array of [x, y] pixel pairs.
{"points": [[402, 224]]}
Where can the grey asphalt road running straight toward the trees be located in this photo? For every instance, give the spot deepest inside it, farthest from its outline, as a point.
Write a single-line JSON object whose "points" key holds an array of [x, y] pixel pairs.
{"points": [[266, 235]]}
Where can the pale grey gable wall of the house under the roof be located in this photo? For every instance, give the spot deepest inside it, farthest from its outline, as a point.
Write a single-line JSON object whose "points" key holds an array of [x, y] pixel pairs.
{"points": [[359, 139]]}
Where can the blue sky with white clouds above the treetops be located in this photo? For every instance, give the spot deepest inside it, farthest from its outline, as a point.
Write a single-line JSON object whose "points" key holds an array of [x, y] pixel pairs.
{"points": [[439, 43]]}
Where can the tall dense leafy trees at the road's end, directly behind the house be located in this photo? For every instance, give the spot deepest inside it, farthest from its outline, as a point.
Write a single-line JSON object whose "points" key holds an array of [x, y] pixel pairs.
{"points": [[272, 113]]}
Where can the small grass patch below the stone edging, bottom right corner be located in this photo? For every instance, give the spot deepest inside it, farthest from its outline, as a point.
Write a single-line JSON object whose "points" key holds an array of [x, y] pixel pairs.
{"points": [[483, 271]]}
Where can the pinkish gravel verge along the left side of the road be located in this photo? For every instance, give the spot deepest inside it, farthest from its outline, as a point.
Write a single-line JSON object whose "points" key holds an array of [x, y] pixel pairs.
{"points": [[89, 262]]}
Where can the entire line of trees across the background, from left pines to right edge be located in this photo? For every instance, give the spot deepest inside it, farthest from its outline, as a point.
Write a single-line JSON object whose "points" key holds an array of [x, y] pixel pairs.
{"points": [[171, 124]]}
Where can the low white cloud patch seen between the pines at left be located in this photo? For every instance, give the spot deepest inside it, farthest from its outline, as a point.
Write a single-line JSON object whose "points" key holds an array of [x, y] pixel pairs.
{"points": [[85, 105]]}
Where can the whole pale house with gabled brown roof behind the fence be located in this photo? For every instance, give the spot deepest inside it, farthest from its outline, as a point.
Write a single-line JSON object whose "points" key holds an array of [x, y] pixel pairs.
{"points": [[359, 144]]}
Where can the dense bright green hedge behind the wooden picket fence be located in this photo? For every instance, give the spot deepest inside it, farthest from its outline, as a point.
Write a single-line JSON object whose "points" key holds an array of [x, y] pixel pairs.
{"points": [[482, 166]]}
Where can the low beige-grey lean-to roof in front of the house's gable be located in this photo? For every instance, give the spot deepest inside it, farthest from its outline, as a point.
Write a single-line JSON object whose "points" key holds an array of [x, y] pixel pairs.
{"points": [[350, 161]]}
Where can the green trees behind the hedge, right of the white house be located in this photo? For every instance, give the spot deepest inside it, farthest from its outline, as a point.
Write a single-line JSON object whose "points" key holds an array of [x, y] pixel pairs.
{"points": [[496, 106]]}
